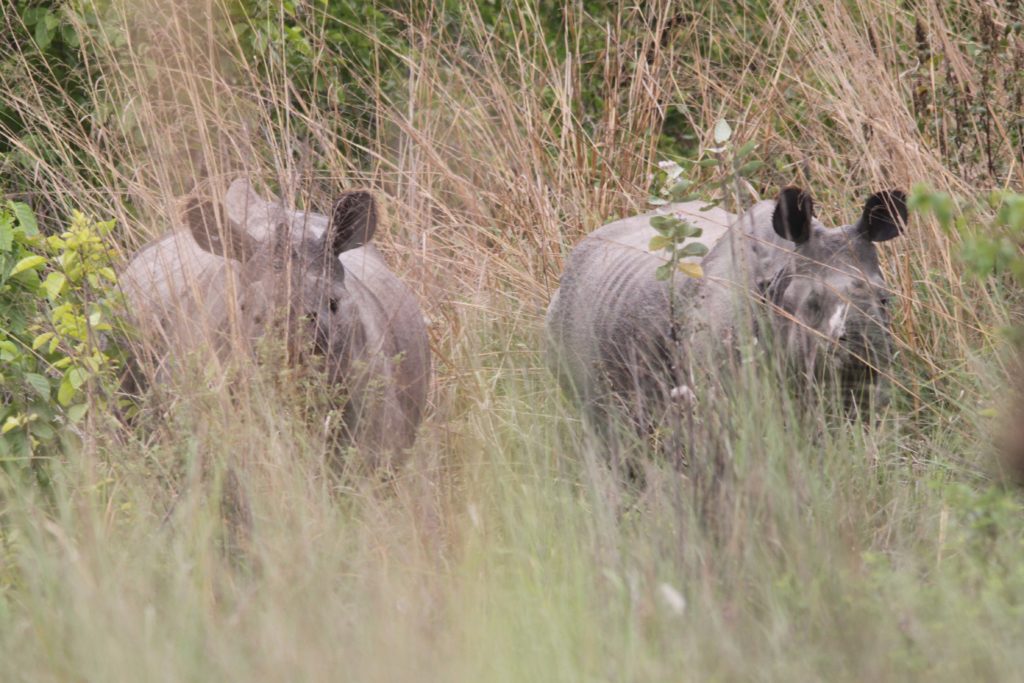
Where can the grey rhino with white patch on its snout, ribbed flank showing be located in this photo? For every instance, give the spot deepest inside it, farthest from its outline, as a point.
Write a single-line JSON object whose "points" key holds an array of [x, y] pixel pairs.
{"points": [[617, 335]]}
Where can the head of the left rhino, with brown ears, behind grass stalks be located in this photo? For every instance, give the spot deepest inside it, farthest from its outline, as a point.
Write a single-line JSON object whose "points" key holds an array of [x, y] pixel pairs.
{"points": [[292, 286]]}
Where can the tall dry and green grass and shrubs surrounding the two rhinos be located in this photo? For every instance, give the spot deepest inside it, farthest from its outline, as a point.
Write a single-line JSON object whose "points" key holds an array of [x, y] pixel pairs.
{"points": [[791, 545]]}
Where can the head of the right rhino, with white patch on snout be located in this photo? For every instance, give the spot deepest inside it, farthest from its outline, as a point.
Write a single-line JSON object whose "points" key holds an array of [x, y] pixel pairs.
{"points": [[831, 300]]}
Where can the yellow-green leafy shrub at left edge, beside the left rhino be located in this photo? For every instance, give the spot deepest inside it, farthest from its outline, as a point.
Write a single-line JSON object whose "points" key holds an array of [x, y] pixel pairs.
{"points": [[58, 301]]}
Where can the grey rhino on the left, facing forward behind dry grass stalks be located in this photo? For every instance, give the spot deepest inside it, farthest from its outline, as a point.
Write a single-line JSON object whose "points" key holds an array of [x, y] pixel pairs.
{"points": [[247, 270]]}
